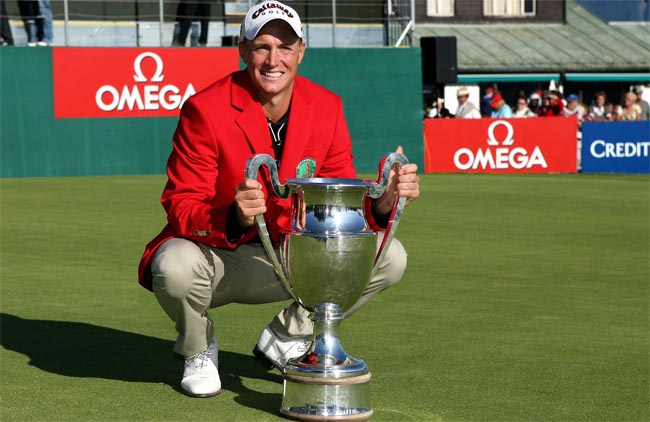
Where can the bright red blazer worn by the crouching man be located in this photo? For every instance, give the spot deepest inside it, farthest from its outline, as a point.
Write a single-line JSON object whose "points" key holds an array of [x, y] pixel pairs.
{"points": [[219, 129]]}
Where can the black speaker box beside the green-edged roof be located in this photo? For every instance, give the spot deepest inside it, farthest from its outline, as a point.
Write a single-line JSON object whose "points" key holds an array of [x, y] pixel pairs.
{"points": [[439, 63]]}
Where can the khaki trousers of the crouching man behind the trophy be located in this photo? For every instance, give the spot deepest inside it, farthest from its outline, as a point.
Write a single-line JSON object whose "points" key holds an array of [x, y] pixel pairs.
{"points": [[189, 278]]}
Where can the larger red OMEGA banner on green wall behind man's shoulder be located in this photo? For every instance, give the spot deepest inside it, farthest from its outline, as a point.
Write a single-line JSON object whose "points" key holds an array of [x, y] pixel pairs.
{"points": [[133, 82]]}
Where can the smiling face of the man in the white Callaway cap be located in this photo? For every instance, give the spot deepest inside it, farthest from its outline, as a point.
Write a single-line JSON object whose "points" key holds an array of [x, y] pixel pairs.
{"points": [[272, 59]]}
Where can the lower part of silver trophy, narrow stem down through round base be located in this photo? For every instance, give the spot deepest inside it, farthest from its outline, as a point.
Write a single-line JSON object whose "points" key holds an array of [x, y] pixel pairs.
{"points": [[326, 383]]}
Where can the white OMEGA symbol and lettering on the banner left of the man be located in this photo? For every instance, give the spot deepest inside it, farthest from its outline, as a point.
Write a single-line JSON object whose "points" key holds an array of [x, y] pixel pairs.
{"points": [[146, 93]]}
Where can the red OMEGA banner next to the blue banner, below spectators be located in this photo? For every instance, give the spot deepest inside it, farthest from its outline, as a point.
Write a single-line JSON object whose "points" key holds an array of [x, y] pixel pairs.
{"points": [[533, 145]]}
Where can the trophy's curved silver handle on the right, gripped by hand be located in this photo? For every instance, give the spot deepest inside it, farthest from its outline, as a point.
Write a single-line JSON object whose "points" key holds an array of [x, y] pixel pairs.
{"points": [[376, 190]]}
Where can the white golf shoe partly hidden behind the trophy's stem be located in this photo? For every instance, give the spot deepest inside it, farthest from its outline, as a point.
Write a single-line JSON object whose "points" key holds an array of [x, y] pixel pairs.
{"points": [[273, 350]]}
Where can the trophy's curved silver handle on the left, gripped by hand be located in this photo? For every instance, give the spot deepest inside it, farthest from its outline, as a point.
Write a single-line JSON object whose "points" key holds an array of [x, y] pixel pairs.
{"points": [[281, 191]]}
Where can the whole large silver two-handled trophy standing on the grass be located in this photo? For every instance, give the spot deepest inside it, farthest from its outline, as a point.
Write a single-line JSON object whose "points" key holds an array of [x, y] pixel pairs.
{"points": [[325, 260]]}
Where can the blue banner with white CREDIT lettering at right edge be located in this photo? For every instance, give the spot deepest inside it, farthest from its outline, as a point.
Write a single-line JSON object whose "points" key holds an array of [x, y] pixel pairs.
{"points": [[616, 147]]}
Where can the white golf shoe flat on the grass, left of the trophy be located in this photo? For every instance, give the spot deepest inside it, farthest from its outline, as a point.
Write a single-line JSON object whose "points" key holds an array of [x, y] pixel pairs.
{"points": [[201, 374]]}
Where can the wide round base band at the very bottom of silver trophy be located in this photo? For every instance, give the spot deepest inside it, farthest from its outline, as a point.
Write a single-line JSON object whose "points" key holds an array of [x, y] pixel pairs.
{"points": [[326, 399]]}
